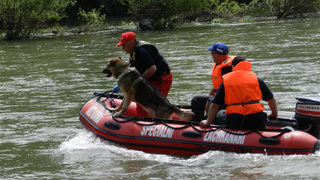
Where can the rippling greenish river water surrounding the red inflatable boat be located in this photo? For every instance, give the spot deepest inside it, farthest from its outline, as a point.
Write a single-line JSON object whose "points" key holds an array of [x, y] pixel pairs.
{"points": [[45, 81]]}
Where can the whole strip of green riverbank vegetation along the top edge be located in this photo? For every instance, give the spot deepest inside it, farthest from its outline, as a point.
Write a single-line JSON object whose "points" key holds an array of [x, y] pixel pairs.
{"points": [[22, 18]]}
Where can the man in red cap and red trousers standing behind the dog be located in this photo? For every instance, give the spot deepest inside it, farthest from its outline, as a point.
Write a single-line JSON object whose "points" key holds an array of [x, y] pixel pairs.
{"points": [[150, 63]]}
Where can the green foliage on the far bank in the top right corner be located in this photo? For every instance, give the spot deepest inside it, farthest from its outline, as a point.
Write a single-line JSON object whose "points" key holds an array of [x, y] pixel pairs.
{"points": [[284, 8]]}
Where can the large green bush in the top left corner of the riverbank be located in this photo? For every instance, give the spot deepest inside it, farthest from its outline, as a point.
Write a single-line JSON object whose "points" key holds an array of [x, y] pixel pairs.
{"points": [[20, 18]]}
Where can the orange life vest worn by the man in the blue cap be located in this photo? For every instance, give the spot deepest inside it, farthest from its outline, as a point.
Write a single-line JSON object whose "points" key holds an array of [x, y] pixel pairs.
{"points": [[216, 72]]}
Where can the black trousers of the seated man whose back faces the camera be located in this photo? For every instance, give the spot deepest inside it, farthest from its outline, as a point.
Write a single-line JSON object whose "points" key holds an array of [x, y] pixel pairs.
{"points": [[255, 121]]}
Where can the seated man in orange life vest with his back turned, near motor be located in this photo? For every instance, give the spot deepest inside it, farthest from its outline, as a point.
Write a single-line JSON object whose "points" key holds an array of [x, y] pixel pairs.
{"points": [[241, 91]]}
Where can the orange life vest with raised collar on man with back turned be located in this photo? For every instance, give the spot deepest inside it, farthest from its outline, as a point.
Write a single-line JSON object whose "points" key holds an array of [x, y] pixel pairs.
{"points": [[242, 91]]}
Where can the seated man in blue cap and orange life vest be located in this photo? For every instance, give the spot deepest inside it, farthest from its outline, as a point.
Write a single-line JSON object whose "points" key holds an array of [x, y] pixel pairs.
{"points": [[221, 66]]}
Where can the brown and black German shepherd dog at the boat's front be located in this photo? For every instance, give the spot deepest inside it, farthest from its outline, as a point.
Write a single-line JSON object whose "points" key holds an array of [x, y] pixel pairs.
{"points": [[137, 89]]}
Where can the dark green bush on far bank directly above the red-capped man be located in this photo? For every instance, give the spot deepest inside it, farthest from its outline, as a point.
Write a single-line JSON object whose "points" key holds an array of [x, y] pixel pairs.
{"points": [[162, 14]]}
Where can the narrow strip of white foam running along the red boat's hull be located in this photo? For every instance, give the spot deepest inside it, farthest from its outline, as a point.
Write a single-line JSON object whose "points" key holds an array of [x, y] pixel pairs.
{"points": [[85, 140]]}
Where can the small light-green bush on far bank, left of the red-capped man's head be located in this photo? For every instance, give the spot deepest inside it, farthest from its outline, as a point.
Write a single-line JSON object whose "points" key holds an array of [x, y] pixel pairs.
{"points": [[92, 18]]}
